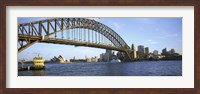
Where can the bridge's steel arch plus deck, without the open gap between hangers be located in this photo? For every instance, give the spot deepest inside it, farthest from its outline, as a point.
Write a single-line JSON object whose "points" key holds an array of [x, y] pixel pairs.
{"points": [[39, 31]]}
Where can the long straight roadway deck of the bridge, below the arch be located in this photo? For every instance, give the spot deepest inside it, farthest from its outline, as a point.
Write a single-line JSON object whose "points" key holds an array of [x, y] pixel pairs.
{"points": [[68, 42]]}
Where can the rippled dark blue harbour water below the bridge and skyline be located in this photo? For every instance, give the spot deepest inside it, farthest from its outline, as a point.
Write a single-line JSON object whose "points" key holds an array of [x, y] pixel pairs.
{"points": [[146, 68]]}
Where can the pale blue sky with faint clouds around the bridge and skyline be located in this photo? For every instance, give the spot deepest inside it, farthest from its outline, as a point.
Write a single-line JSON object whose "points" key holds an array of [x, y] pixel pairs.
{"points": [[155, 33]]}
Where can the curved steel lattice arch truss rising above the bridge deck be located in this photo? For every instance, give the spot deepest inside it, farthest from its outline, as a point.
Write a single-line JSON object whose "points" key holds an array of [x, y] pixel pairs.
{"points": [[41, 28]]}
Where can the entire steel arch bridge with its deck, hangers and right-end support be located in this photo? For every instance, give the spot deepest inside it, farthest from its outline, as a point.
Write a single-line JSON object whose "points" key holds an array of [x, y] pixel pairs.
{"points": [[72, 31]]}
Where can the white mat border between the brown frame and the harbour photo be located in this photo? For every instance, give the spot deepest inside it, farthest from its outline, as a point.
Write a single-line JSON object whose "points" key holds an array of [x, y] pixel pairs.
{"points": [[185, 81]]}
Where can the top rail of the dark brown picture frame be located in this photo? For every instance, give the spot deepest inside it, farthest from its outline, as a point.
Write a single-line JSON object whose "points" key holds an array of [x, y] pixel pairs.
{"points": [[100, 2]]}
